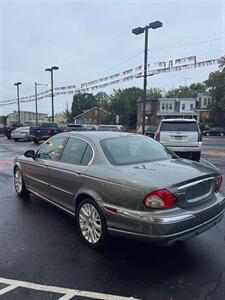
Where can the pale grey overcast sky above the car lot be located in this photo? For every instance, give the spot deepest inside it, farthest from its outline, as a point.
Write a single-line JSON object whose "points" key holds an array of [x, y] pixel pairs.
{"points": [[91, 39]]}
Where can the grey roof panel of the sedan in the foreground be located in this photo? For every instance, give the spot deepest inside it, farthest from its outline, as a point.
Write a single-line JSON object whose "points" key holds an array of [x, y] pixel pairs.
{"points": [[97, 135]]}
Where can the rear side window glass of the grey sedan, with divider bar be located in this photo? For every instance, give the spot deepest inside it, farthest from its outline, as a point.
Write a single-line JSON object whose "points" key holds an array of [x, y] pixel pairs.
{"points": [[77, 152]]}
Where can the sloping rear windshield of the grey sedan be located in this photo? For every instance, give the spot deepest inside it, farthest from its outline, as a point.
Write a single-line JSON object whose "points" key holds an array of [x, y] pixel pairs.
{"points": [[133, 150]]}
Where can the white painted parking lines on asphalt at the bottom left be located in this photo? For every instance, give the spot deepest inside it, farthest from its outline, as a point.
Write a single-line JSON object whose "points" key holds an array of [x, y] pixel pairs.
{"points": [[68, 293]]}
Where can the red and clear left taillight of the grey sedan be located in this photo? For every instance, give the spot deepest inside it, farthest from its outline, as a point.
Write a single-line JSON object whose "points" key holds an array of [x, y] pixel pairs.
{"points": [[160, 199]]}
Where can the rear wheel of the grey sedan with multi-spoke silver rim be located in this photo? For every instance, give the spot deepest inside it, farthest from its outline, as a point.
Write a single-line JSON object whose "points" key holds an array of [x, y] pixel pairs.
{"points": [[88, 215]]}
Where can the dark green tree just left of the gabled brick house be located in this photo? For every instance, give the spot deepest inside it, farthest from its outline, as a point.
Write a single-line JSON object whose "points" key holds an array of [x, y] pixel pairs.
{"points": [[82, 102]]}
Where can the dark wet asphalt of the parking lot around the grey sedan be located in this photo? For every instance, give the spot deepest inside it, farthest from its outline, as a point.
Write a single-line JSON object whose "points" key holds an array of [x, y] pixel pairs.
{"points": [[42, 256]]}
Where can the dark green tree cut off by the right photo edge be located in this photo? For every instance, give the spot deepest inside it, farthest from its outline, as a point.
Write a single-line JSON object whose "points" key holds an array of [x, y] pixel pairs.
{"points": [[216, 86]]}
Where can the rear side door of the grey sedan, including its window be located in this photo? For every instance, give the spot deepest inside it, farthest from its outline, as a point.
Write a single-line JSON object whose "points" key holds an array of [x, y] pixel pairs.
{"points": [[67, 174]]}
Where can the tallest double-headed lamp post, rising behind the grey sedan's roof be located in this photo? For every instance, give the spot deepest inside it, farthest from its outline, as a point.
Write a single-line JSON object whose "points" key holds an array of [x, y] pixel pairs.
{"points": [[140, 30]]}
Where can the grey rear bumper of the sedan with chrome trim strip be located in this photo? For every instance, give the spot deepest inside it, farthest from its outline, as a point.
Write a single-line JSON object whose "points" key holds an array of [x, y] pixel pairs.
{"points": [[167, 227]]}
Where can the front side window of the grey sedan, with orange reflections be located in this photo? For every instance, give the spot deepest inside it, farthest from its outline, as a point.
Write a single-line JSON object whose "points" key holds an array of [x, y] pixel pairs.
{"points": [[52, 148]]}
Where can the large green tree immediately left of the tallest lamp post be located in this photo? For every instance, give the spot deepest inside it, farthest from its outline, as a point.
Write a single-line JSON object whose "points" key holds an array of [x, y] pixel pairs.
{"points": [[124, 103]]}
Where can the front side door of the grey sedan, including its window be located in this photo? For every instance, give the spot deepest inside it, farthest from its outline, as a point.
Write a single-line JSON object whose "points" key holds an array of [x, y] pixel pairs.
{"points": [[37, 171]]}
